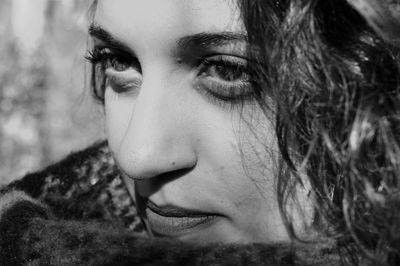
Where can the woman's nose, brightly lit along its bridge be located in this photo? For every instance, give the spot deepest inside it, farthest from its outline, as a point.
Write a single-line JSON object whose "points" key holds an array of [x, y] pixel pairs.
{"points": [[158, 138]]}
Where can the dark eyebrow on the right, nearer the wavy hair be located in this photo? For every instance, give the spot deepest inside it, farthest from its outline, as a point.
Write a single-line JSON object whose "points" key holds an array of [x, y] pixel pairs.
{"points": [[206, 40]]}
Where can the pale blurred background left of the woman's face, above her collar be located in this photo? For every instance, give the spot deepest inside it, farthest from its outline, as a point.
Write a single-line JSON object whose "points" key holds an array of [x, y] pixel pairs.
{"points": [[46, 110]]}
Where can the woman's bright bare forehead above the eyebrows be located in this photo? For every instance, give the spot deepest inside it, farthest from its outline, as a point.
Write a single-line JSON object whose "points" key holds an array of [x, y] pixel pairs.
{"points": [[163, 20]]}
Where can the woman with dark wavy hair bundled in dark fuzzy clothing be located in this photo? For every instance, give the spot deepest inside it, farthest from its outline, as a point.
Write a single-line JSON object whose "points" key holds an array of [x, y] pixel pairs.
{"points": [[194, 104]]}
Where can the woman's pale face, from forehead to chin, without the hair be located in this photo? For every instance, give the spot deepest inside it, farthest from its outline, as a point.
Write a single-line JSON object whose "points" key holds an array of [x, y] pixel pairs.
{"points": [[181, 122]]}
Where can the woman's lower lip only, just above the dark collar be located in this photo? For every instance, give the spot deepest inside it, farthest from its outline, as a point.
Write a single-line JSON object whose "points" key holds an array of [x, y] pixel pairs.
{"points": [[176, 226]]}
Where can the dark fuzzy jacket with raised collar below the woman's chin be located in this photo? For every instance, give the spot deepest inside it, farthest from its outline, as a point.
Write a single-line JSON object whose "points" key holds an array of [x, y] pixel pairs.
{"points": [[78, 212]]}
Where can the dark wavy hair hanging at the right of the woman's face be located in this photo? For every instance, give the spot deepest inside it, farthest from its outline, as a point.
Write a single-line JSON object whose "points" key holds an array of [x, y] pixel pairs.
{"points": [[333, 68]]}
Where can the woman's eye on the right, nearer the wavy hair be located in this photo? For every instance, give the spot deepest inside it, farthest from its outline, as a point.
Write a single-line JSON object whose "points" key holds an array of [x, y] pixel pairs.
{"points": [[225, 77]]}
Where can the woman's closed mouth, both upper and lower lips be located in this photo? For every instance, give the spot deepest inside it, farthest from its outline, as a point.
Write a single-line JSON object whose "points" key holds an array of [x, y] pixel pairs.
{"points": [[172, 221]]}
